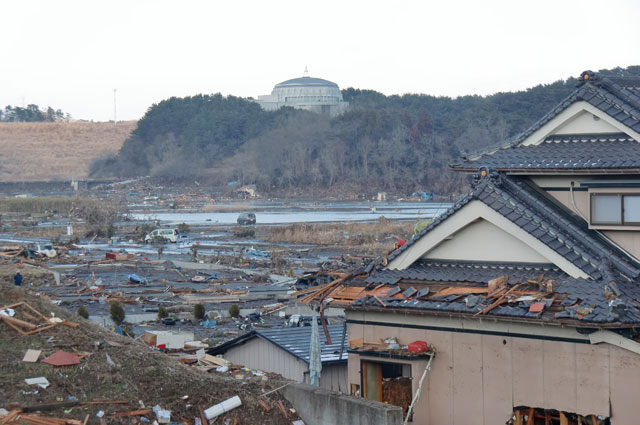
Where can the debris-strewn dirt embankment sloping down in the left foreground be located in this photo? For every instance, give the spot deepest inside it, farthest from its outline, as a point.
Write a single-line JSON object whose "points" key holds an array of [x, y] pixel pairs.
{"points": [[138, 375]]}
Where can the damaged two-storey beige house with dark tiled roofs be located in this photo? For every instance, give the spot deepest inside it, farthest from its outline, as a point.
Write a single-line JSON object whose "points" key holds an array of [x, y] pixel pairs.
{"points": [[526, 291]]}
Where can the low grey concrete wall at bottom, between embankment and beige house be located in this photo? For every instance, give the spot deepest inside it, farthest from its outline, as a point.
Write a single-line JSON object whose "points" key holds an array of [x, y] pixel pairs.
{"points": [[321, 407]]}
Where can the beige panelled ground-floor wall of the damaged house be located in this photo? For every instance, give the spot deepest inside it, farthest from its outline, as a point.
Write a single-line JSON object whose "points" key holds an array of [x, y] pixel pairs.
{"points": [[479, 378]]}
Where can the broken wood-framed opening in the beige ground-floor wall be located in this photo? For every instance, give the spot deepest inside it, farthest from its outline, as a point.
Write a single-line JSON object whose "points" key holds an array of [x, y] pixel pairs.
{"points": [[387, 383]]}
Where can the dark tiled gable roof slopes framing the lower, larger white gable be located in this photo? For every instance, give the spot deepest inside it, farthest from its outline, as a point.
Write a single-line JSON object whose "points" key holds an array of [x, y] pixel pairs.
{"points": [[542, 218]]}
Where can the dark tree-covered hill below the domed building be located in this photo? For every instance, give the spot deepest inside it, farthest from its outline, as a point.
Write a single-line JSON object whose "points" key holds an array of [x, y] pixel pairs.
{"points": [[401, 143]]}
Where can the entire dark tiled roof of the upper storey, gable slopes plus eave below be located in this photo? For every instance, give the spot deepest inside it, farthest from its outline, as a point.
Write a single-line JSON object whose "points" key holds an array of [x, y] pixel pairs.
{"points": [[617, 97]]}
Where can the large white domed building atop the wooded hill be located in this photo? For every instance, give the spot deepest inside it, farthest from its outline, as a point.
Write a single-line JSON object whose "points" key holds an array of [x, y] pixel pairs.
{"points": [[312, 94]]}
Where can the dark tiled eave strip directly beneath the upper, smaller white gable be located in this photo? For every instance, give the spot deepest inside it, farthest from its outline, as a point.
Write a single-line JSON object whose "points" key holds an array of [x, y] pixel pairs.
{"points": [[573, 152]]}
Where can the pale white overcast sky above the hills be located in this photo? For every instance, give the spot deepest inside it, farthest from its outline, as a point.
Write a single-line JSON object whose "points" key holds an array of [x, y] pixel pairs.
{"points": [[72, 54]]}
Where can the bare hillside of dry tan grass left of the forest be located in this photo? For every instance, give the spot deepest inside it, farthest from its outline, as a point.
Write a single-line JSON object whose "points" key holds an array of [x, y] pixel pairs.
{"points": [[56, 151]]}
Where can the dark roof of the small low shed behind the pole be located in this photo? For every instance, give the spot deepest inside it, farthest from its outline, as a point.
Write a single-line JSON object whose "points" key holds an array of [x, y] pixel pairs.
{"points": [[295, 341]]}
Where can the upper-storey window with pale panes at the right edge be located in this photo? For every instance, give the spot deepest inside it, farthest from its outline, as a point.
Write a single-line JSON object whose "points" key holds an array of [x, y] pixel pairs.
{"points": [[615, 209]]}
